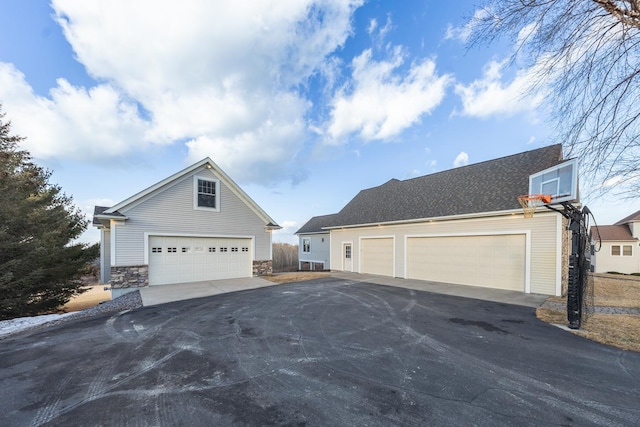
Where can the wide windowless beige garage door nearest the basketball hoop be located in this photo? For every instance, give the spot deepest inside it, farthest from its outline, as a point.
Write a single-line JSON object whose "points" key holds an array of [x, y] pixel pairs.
{"points": [[496, 261]]}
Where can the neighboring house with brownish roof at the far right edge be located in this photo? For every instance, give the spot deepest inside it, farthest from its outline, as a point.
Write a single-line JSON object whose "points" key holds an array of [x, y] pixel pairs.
{"points": [[620, 246]]}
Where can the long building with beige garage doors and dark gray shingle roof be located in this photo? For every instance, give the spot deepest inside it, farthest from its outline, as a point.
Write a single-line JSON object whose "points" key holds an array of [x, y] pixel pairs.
{"points": [[462, 226]]}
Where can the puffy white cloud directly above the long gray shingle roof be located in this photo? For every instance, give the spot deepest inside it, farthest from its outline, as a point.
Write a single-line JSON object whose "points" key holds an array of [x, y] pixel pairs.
{"points": [[381, 102]]}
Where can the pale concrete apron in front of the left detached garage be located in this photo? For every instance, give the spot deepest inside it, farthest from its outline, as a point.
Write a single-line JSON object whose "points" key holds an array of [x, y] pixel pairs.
{"points": [[162, 294]]}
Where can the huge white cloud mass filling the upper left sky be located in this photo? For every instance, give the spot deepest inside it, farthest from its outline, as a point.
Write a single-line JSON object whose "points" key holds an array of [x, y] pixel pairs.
{"points": [[222, 76]]}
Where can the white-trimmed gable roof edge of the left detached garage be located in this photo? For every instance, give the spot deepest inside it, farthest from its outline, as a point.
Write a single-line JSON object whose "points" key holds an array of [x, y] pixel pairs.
{"points": [[112, 212]]}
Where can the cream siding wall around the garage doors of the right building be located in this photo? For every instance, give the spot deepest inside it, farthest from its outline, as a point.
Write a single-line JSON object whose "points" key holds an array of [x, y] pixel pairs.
{"points": [[543, 255]]}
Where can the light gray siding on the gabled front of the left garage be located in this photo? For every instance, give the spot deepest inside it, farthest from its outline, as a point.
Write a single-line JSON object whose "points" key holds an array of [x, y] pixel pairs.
{"points": [[171, 211]]}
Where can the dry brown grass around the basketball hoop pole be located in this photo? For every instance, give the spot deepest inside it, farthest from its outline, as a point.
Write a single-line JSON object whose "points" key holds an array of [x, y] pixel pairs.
{"points": [[618, 330]]}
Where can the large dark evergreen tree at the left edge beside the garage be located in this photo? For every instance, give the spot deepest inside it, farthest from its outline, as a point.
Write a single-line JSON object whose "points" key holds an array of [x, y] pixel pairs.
{"points": [[40, 265]]}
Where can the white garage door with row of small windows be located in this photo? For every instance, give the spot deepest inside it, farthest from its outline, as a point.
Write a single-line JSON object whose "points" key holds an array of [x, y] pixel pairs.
{"points": [[195, 259]]}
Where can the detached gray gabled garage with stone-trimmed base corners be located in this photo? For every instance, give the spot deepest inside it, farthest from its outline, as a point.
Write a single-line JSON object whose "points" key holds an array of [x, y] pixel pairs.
{"points": [[196, 225]]}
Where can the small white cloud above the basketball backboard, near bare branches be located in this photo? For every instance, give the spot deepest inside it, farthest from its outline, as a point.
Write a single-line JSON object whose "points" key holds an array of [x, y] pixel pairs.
{"points": [[490, 96]]}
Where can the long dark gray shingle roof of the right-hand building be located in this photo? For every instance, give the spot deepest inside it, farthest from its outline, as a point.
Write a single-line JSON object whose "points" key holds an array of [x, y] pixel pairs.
{"points": [[489, 186]]}
